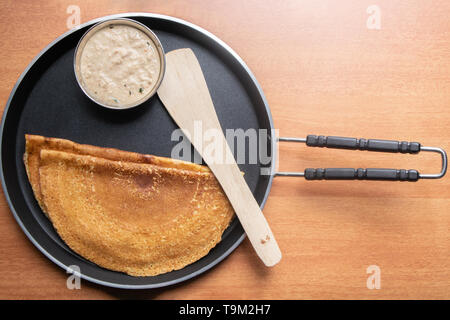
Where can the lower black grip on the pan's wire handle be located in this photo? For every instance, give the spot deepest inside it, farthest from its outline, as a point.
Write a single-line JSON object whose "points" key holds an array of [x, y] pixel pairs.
{"points": [[361, 174]]}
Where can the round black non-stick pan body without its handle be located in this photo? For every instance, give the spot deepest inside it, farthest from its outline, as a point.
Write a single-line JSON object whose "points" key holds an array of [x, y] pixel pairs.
{"points": [[47, 101]]}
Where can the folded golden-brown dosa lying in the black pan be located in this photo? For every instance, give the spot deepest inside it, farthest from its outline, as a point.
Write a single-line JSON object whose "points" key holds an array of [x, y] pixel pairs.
{"points": [[139, 214]]}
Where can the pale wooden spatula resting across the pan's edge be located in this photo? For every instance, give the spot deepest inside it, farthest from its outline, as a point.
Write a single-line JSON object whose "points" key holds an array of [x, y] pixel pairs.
{"points": [[186, 97]]}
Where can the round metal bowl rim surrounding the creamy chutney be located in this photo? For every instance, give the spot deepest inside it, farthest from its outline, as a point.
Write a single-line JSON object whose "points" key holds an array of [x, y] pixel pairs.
{"points": [[119, 21]]}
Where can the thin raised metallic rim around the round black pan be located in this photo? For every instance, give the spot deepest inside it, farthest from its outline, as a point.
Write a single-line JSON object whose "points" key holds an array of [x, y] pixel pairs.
{"points": [[132, 15]]}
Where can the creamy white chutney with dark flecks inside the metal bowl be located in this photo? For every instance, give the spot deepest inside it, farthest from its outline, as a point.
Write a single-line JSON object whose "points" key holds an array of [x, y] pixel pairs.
{"points": [[119, 65]]}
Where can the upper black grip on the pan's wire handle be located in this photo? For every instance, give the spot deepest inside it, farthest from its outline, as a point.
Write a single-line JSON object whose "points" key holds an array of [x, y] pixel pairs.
{"points": [[362, 144]]}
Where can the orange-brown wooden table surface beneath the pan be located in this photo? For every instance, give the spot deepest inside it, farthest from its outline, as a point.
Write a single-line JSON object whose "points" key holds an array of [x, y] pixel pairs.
{"points": [[323, 72]]}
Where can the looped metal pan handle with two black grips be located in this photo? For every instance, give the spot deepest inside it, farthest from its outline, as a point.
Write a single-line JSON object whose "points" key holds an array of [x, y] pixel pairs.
{"points": [[370, 173]]}
